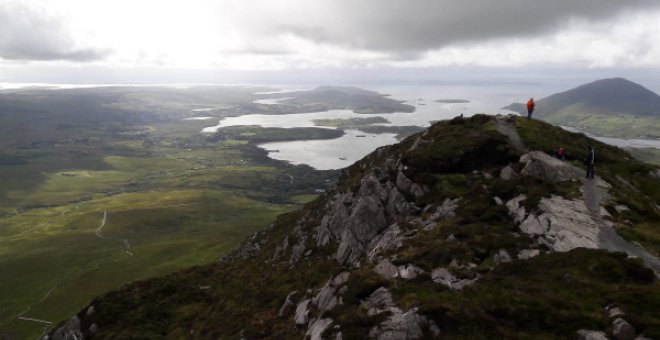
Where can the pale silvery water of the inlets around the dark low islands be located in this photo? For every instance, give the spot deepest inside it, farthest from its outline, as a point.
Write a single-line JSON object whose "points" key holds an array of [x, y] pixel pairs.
{"points": [[344, 151]]}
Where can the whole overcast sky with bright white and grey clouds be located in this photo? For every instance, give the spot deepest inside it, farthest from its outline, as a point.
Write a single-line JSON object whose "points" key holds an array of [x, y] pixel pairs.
{"points": [[62, 40]]}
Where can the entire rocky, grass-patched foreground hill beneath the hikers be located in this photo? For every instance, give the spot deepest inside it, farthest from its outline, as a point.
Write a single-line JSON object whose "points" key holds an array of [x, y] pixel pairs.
{"points": [[470, 229]]}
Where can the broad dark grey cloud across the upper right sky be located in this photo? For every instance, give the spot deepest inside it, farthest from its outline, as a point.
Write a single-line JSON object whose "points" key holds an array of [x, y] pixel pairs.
{"points": [[419, 25]]}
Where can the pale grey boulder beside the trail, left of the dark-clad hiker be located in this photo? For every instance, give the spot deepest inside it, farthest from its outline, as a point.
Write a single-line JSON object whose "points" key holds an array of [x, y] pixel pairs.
{"points": [[543, 166]]}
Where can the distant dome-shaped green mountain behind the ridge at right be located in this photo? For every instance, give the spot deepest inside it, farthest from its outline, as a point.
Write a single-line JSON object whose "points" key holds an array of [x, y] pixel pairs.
{"points": [[613, 107]]}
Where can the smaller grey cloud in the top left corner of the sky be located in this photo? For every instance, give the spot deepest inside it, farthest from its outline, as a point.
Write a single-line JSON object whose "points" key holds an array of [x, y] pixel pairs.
{"points": [[28, 33]]}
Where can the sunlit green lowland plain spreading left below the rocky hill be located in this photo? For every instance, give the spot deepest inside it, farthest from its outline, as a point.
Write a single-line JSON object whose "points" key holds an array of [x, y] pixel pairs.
{"points": [[102, 187]]}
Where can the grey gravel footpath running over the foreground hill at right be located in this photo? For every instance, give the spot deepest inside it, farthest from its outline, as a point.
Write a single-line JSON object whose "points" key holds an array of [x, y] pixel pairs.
{"points": [[594, 193]]}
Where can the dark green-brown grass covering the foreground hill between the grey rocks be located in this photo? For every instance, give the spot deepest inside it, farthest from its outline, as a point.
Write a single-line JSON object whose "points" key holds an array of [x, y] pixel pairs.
{"points": [[549, 296]]}
